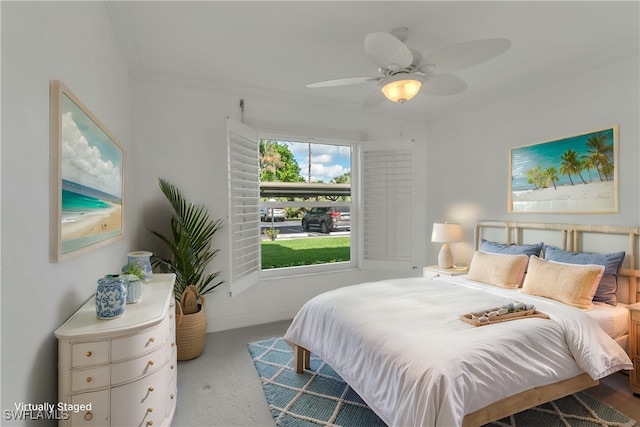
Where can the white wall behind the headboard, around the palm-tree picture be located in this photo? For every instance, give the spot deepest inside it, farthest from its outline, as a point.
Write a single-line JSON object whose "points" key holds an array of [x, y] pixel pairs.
{"points": [[468, 153]]}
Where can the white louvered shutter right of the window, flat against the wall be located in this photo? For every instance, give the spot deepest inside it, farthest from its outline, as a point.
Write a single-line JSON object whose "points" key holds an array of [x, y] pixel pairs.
{"points": [[387, 196]]}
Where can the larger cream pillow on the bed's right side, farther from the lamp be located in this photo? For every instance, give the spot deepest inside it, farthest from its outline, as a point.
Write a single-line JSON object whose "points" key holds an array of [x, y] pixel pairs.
{"points": [[572, 284]]}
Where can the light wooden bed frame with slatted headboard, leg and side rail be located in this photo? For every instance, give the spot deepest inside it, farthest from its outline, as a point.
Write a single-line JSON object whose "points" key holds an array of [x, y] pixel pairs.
{"points": [[571, 235]]}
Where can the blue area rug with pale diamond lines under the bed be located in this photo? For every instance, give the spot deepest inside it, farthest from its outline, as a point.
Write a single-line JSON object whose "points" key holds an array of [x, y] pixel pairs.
{"points": [[319, 397]]}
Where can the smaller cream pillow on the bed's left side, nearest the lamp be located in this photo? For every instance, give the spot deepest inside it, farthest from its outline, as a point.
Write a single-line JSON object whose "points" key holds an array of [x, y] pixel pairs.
{"points": [[502, 270]]}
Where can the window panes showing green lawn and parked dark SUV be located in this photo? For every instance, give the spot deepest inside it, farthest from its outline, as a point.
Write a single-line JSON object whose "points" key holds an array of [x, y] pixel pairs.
{"points": [[305, 204]]}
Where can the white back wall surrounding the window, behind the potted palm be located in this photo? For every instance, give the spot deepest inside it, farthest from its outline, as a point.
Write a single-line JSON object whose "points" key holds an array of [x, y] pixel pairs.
{"points": [[181, 129]]}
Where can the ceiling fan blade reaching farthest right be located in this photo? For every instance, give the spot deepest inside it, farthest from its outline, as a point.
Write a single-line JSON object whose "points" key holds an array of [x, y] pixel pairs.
{"points": [[463, 55]]}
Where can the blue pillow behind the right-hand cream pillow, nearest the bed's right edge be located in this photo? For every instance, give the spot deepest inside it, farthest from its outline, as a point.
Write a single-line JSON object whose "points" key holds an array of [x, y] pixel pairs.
{"points": [[608, 286]]}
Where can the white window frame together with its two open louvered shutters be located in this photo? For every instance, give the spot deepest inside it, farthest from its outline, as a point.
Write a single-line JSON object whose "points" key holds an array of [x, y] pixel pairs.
{"points": [[245, 211]]}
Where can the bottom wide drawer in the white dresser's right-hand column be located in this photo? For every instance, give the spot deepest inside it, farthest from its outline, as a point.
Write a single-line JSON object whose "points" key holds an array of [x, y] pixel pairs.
{"points": [[143, 400]]}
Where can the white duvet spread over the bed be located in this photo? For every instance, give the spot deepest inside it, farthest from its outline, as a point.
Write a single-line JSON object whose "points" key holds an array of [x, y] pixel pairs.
{"points": [[401, 346]]}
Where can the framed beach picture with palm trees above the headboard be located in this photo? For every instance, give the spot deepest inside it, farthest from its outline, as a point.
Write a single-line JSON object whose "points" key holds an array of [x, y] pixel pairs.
{"points": [[576, 174]]}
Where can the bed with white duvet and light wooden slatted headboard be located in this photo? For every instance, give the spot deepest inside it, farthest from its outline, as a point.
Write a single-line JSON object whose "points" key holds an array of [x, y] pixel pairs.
{"points": [[401, 344]]}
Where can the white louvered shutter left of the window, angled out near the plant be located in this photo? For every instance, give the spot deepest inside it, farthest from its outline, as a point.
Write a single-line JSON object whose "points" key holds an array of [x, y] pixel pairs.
{"points": [[244, 211]]}
